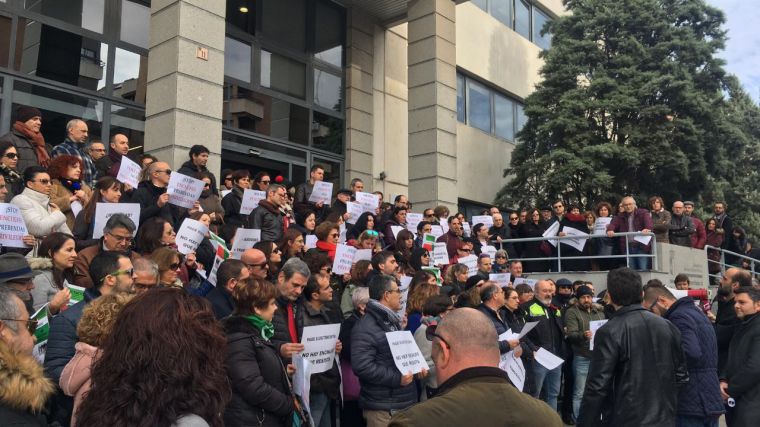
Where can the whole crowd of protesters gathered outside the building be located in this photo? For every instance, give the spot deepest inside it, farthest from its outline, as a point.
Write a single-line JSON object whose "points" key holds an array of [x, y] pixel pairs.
{"points": [[134, 332]]}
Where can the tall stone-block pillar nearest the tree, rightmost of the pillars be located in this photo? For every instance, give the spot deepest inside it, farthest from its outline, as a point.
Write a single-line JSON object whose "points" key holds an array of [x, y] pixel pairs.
{"points": [[432, 103]]}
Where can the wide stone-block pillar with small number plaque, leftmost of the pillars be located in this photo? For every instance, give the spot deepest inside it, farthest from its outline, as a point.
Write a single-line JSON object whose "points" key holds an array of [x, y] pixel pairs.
{"points": [[184, 101]]}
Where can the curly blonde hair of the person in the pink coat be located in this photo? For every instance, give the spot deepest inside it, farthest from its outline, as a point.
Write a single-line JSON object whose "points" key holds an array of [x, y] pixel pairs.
{"points": [[99, 316]]}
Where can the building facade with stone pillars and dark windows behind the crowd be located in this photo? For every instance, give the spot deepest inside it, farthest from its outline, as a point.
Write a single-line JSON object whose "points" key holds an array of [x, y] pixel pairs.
{"points": [[418, 97]]}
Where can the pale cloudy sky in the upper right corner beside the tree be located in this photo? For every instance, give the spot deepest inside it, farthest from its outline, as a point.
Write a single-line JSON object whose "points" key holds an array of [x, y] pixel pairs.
{"points": [[742, 52]]}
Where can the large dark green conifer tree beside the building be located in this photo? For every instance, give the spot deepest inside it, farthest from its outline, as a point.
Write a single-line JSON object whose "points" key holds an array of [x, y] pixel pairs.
{"points": [[634, 101]]}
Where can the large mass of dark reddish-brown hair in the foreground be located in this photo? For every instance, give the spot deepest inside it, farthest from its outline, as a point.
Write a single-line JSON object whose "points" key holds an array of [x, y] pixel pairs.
{"points": [[163, 359]]}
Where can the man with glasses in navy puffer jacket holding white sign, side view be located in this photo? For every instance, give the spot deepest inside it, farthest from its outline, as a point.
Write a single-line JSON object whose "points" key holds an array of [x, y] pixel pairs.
{"points": [[384, 389]]}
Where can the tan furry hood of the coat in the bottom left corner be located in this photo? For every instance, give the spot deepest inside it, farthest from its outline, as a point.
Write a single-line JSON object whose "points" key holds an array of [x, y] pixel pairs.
{"points": [[24, 389]]}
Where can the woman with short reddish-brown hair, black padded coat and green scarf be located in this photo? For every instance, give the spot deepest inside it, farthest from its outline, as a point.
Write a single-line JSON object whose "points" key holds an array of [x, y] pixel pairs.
{"points": [[261, 393]]}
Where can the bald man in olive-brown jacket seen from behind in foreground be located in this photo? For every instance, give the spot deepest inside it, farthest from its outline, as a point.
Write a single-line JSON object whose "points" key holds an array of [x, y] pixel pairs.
{"points": [[472, 390]]}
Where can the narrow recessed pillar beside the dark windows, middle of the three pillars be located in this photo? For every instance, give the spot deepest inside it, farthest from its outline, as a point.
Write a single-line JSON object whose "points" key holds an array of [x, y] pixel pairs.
{"points": [[359, 108]]}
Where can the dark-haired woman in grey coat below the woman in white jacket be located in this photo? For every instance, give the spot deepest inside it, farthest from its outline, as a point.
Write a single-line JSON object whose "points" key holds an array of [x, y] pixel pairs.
{"points": [[55, 263]]}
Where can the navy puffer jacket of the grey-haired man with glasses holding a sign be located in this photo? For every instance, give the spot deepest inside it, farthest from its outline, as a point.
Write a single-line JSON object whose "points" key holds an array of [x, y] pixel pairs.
{"points": [[373, 363]]}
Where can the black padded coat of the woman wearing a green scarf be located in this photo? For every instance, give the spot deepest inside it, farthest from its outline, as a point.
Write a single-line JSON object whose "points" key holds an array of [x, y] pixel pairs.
{"points": [[260, 390]]}
